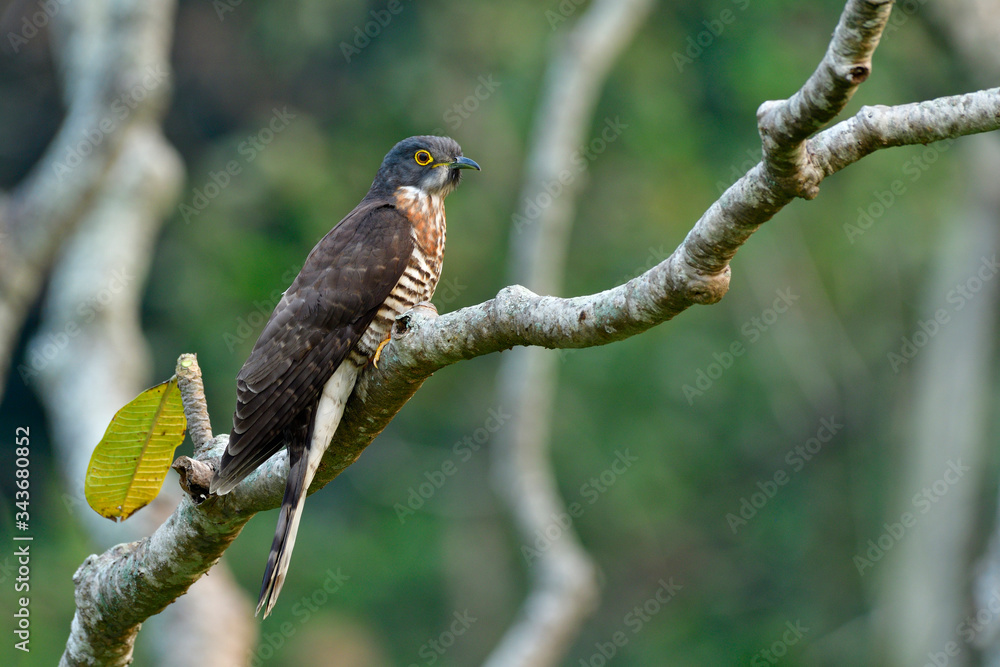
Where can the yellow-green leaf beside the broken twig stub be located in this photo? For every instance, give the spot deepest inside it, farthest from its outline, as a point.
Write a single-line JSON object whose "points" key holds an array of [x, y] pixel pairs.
{"points": [[131, 461]]}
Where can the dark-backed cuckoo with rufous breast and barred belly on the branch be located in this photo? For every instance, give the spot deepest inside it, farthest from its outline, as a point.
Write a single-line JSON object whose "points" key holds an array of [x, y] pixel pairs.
{"points": [[378, 262]]}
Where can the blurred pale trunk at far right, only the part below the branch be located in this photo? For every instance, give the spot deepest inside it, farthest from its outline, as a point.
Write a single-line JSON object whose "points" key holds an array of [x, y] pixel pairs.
{"points": [[924, 581]]}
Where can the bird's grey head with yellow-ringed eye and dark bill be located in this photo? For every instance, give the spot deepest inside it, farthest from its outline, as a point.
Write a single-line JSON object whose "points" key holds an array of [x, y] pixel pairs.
{"points": [[432, 164]]}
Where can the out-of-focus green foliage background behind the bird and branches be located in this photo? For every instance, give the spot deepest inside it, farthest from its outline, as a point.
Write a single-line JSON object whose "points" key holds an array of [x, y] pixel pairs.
{"points": [[218, 273]]}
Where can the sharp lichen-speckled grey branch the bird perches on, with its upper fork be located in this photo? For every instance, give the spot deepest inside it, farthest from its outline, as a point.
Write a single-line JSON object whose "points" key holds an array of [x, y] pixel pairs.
{"points": [[119, 589]]}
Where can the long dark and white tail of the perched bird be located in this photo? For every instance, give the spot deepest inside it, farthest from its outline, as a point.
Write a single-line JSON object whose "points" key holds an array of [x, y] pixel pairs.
{"points": [[288, 526]]}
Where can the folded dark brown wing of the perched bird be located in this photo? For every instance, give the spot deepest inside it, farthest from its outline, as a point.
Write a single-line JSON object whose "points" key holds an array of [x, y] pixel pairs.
{"points": [[344, 281]]}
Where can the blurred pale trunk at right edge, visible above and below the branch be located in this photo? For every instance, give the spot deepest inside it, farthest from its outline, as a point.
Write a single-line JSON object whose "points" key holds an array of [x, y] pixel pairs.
{"points": [[925, 596]]}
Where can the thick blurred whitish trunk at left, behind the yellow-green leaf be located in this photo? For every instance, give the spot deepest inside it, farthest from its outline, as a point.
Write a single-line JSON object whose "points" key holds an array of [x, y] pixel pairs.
{"points": [[89, 356]]}
